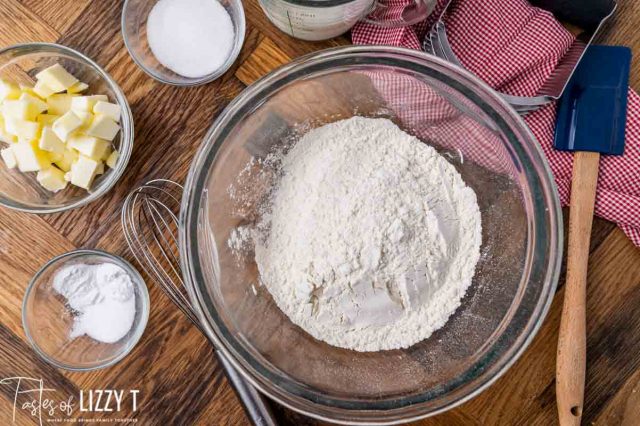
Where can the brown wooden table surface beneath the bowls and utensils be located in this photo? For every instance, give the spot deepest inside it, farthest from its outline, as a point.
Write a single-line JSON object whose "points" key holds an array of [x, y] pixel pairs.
{"points": [[173, 368]]}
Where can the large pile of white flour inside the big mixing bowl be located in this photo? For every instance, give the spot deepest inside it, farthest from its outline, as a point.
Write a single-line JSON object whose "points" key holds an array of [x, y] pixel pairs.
{"points": [[370, 238]]}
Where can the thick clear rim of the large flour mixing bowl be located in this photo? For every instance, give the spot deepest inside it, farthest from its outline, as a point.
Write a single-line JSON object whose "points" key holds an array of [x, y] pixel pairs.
{"points": [[294, 395]]}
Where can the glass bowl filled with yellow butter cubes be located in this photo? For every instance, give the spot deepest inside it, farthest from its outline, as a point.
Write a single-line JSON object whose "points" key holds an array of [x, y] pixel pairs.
{"points": [[66, 129]]}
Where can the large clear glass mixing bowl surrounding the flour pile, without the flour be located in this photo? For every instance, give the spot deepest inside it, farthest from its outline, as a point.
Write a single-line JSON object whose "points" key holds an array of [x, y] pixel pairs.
{"points": [[489, 145]]}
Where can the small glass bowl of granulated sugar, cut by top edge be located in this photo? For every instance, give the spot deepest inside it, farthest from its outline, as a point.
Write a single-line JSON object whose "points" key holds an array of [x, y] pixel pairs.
{"points": [[183, 42]]}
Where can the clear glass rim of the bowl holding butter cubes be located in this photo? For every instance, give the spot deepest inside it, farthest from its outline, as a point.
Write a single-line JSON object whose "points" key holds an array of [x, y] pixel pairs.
{"points": [[127, 132]]}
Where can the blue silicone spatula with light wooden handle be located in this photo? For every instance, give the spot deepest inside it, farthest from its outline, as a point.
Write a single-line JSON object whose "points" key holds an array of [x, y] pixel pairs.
{"points": [[591, 120]]}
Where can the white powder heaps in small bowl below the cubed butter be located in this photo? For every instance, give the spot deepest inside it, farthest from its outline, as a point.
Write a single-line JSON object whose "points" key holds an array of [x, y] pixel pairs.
{"points": [[103, 297]]}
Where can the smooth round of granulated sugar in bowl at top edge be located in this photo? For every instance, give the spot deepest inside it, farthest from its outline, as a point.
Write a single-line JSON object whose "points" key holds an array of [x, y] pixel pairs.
{"points": [[192, 38]]}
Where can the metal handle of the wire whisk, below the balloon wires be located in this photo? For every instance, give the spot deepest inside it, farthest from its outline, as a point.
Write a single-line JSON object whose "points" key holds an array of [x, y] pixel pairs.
{"points": [[254, 403]]}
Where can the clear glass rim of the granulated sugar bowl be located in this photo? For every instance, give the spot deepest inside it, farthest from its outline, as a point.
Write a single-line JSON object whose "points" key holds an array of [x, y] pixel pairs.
{"points": [[235, 52]]}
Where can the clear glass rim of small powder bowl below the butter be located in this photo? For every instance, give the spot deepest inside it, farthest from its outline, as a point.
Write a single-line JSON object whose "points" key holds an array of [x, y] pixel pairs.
{"points": [[140, 328]]}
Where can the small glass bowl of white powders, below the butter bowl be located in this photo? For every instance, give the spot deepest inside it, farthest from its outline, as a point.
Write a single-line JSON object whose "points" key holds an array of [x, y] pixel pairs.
{"points": [[85, 309]]}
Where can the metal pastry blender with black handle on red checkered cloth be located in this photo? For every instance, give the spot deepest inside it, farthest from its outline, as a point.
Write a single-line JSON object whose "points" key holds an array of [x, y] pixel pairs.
{"points": [[588, 15]]}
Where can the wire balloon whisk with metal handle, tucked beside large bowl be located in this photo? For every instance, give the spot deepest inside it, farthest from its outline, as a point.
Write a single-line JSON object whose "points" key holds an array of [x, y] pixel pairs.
{"points": [[150, 223]]}
